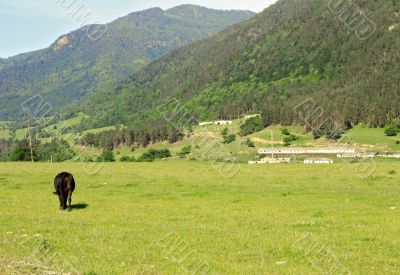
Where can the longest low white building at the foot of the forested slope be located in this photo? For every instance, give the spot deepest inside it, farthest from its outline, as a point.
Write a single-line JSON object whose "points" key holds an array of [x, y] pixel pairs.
{"points": [[306, 151]]}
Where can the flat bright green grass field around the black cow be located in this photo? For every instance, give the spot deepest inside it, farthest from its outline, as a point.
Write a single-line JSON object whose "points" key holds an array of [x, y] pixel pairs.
{"points": [[145, 218]]}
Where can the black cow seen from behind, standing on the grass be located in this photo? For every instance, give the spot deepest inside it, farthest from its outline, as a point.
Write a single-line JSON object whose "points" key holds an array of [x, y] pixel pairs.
{"points": [[64, 184]]}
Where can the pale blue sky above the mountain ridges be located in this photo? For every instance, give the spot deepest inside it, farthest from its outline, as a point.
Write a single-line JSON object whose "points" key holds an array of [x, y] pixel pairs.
{"points": [[27, 25]]}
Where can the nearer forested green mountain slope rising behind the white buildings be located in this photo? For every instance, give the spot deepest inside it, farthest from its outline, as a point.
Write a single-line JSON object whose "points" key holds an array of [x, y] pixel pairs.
{"points": [[296, 51]]}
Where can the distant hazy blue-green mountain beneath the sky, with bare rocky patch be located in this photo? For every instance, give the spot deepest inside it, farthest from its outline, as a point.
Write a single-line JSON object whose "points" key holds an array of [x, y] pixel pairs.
{"points": [[84, 61]]}
